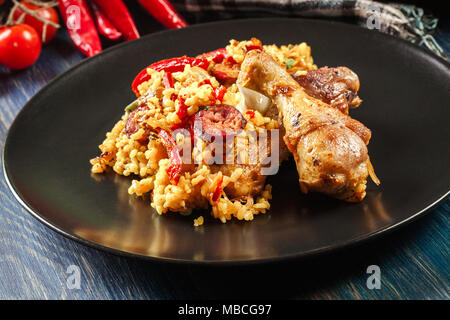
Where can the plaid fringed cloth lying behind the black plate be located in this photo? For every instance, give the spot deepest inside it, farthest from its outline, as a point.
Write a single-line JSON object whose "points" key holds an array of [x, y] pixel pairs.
{"points": [[404, 21]]}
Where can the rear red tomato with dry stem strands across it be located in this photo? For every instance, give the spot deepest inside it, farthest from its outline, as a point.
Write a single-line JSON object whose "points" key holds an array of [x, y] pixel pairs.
{"points": [[49, 14]]}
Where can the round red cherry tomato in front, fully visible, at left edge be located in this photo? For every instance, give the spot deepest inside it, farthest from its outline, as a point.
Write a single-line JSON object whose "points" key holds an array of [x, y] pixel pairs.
{"points": [[20, 46]]}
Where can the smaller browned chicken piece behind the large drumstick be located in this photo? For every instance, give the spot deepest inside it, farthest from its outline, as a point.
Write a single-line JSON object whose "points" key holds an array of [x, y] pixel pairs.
{"points": [[337, 87]]}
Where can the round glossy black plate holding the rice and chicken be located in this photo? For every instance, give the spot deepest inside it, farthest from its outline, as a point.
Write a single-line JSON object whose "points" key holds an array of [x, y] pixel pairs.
{"points": [[406, 92]]}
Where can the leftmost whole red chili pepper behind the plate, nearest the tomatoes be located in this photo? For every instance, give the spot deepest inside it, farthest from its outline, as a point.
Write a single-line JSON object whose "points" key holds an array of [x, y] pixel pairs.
{"points": [[80, 26]]}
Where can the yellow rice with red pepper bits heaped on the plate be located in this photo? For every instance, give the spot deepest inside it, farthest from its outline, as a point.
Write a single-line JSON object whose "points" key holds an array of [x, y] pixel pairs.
{"points": [[134, 146]]}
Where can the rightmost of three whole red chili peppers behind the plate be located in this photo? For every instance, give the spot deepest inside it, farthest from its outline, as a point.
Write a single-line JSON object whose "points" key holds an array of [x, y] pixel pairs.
{"points": [[164, 12]]}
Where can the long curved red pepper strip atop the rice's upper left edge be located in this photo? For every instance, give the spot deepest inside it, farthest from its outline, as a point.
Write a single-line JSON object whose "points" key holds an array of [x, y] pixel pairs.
{"points": [[168, 65]]}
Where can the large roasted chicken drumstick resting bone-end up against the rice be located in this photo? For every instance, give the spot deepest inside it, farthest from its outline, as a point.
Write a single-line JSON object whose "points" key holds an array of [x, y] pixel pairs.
{"points": [[328, 146]]}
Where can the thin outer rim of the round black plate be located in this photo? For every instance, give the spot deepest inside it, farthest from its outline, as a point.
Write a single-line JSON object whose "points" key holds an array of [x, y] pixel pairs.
{"points": [[301, 255]]}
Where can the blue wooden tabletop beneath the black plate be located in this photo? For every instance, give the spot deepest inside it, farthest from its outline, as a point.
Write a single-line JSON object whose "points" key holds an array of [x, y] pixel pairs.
{"points": [[34, 260]]}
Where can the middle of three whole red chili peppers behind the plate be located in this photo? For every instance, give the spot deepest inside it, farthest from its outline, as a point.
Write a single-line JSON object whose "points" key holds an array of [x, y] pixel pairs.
{"points": [[117, 12]]}
